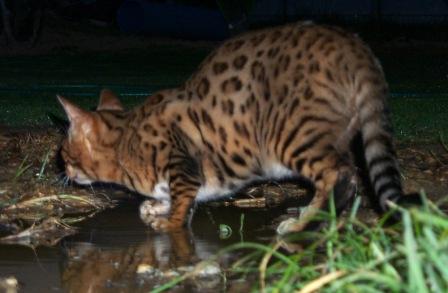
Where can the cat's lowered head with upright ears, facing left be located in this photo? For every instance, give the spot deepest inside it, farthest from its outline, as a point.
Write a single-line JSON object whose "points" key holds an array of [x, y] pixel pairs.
{"points": [[89, 151]]}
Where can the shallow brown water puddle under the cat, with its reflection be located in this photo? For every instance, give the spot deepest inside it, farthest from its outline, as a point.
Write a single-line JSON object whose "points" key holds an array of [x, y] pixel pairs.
{"points": [[115, 252]]}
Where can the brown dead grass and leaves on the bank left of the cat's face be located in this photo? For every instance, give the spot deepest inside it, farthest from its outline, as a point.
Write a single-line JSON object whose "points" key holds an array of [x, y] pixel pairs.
{"points": [[36, 204]]}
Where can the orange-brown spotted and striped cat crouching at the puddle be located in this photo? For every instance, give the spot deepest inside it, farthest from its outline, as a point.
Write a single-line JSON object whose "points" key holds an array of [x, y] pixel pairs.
{"points": [[280, 102]]}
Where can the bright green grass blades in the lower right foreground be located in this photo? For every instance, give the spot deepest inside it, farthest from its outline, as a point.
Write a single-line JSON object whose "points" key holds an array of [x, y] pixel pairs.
{"points": [[350, 256]]}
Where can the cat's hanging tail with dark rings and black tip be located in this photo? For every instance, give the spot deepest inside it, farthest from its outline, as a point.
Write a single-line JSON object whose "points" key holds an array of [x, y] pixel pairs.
{"points": [[377, 138]]}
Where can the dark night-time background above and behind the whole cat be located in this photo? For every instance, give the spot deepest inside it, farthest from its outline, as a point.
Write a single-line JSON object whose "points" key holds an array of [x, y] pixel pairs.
{"points": [[135, 47]]}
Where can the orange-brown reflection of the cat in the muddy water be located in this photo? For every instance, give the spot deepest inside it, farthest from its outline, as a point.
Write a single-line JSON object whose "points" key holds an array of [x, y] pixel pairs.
{"points": [[141, 267]]}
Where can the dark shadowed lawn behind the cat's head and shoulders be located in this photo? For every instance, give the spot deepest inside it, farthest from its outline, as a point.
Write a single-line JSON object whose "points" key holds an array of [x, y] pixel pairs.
{"points": [[28, 85]]}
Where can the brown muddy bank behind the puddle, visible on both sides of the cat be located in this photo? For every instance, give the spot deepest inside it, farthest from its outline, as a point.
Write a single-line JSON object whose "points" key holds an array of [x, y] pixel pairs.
{"points": [[38, 206]]}
